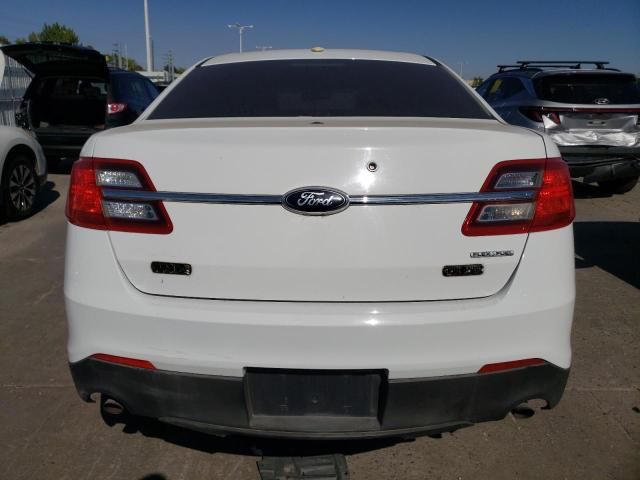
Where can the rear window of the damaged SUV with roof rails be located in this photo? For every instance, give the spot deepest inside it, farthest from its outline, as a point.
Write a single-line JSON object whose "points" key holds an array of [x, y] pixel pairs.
{"points": [[589, 88]]}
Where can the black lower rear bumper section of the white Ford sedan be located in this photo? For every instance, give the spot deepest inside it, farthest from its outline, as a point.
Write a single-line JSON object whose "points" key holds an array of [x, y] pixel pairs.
{"points": [[407, 407]]}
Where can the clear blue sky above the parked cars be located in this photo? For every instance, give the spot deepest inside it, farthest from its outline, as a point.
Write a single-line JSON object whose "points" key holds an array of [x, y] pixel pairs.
{"points": [[478, 34]]}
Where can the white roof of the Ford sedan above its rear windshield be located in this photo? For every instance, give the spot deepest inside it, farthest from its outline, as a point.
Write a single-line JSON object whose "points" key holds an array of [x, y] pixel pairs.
{"points": [[318, 53]]}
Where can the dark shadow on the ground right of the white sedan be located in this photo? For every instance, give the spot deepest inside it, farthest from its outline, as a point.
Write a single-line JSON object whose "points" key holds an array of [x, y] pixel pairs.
{"points": [[611, 246]]}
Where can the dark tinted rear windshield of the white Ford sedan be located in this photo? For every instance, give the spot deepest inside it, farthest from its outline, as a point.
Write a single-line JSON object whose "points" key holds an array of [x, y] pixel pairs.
{"points": [[318, 88]]}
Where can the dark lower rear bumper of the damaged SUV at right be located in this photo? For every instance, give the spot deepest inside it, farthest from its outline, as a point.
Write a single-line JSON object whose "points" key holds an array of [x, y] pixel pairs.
{"points": [[602, 163]]}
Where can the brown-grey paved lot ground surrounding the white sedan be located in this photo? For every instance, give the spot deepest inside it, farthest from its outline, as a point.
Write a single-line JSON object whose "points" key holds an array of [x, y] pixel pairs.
{"points": [[46, 431]]}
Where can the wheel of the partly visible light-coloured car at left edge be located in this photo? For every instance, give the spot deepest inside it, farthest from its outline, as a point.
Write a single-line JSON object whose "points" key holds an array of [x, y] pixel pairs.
{"points": [[19, 187]]}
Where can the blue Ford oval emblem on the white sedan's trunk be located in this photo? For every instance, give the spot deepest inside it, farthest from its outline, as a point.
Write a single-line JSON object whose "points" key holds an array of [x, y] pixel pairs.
{"points": [[315, 201]]}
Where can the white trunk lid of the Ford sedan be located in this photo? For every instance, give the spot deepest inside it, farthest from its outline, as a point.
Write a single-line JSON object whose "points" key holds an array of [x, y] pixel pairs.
{"points": [[364, 253]]}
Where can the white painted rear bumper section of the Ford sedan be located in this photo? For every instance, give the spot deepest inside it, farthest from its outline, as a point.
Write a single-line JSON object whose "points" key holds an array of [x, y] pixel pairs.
{"points": [[529, 318]]}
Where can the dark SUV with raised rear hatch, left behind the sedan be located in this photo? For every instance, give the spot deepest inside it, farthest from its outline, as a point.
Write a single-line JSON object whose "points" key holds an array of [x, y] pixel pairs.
{"points": [[73, 94]]}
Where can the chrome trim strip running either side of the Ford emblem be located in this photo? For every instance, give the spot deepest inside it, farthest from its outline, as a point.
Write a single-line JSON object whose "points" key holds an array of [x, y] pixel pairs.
{"points": [[242, 199]]}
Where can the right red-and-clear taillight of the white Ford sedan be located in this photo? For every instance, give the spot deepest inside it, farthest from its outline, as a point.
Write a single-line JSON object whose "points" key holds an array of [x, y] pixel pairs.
{"points": [[550, 207]]}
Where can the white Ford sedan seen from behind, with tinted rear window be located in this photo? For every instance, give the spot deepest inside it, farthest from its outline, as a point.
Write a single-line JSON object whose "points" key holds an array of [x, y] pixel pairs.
{"points": [[320, 244]]}
